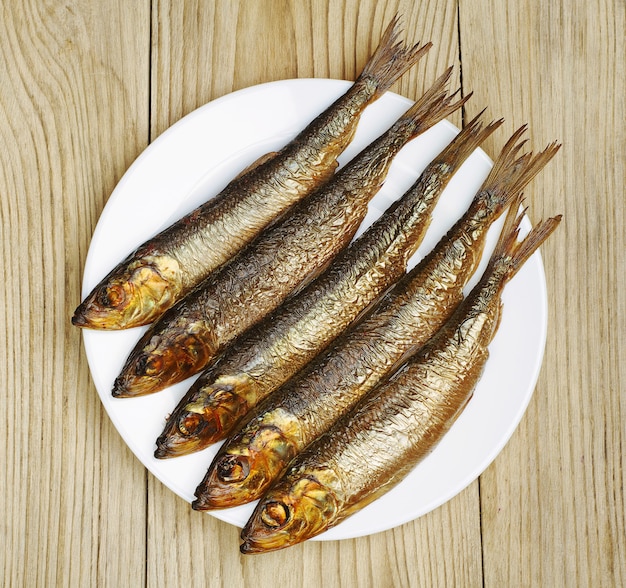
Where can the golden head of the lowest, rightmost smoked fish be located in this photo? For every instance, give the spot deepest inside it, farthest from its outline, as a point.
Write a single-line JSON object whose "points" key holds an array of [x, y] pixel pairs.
{"points": [[298, 507]]}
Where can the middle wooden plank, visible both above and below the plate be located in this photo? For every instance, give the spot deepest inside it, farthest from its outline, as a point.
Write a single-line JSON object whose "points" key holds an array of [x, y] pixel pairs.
{"points": [[200, 52]]}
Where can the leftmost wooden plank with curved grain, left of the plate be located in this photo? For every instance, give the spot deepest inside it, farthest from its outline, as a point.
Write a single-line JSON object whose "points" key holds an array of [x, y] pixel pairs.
{"points": [[73, 115]]}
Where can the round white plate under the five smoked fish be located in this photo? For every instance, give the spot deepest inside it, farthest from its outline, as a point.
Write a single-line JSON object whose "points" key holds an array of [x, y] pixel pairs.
{"points": [[190, 163]]}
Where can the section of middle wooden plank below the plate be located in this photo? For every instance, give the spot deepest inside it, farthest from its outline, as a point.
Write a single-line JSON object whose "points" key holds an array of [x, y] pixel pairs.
{"points": [[442, 548]]}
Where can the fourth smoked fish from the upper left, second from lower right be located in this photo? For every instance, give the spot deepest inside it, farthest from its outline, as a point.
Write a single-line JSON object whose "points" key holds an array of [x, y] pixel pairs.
{"points": [[306, 406]]}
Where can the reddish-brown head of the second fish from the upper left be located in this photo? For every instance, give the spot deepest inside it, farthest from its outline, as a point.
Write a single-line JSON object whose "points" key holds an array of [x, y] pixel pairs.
{"points": [[165, 355]]}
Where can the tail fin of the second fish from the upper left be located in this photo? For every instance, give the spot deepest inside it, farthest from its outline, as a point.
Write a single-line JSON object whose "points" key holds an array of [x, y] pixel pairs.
{"points": [[435, 105]]}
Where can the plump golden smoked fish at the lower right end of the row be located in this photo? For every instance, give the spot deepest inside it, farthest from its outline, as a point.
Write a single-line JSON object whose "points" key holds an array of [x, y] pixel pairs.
{"points": [[372, 448]]}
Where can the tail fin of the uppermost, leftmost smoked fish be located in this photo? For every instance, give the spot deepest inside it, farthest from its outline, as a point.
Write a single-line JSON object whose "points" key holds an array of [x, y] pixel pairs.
{"points": [[391, 58]]}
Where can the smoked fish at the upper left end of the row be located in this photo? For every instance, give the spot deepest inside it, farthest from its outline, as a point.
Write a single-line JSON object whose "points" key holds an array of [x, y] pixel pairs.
{"points": [[169, 265]]}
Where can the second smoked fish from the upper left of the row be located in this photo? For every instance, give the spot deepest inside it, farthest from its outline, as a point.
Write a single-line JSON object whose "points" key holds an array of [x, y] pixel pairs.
{"points": [[286, 256]]}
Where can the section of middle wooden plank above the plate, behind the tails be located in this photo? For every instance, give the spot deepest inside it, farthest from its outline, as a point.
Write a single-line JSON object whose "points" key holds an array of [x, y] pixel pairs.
{"points": [[203, 50]]}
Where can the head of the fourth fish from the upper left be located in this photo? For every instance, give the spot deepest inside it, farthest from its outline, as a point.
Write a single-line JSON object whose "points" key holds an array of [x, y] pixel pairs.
{"points": [[245, 467]]}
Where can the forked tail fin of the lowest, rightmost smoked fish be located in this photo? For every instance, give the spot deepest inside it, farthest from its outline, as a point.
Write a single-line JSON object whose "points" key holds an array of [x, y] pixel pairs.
{"points": [[512, 252]]}
